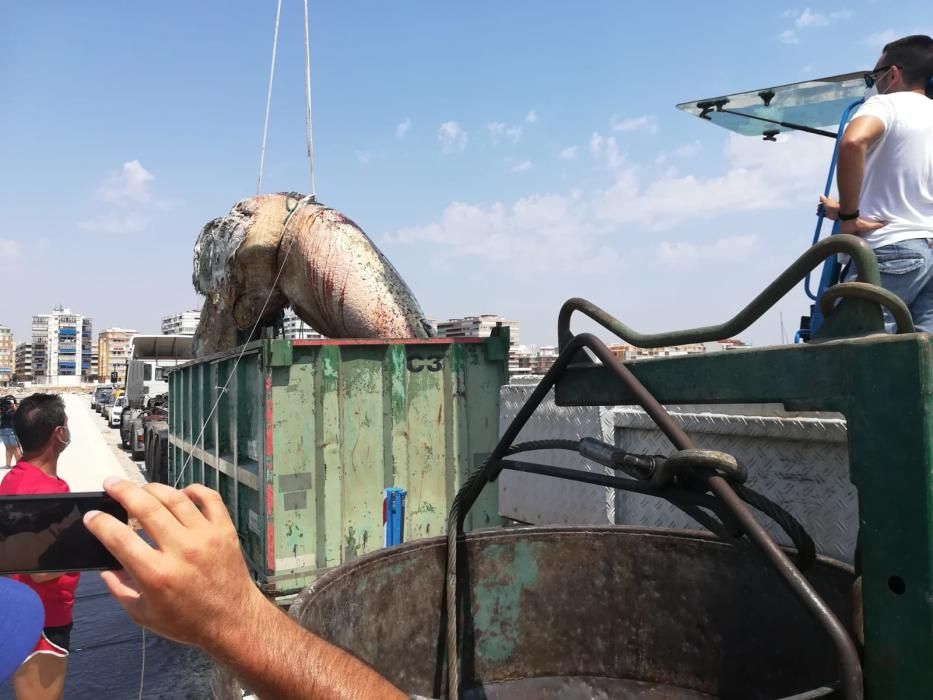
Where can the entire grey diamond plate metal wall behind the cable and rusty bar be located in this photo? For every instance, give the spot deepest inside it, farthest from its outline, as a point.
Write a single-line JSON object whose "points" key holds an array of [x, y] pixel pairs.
{"points": [[799, 462]]}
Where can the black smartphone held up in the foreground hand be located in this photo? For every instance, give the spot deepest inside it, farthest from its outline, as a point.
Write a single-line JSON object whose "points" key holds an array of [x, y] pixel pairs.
{"points": [[46, 534]]}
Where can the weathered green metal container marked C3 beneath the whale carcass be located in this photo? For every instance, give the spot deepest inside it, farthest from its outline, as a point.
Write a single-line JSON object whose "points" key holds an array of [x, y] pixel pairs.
{"points": [[307, 435]]}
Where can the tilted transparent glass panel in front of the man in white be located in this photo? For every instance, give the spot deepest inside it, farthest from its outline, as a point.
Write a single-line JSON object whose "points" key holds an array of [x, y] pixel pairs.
{"points": [[815, 103]]}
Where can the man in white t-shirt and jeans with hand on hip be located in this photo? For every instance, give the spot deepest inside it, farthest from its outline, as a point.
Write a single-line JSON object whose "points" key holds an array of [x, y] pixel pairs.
{"points": [[885, 174]]}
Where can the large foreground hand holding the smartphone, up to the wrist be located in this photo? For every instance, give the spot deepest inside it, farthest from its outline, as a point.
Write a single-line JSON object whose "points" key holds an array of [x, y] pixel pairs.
{"points": [[195, 588]]}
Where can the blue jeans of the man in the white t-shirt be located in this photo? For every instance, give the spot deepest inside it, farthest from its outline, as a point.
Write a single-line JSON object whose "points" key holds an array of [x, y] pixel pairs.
{"points": [[907, 270]]}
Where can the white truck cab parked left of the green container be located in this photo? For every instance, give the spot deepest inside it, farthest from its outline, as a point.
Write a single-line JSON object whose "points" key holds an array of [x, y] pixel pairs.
{"points": [[150, 357]]}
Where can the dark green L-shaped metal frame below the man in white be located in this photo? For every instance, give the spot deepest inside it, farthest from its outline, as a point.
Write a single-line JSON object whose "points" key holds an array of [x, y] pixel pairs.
{"points": [[883, 384]]}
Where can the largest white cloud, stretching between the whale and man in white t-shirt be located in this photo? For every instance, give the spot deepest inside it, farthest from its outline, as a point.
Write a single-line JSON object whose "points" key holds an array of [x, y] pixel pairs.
{"points": [[551, 231]]}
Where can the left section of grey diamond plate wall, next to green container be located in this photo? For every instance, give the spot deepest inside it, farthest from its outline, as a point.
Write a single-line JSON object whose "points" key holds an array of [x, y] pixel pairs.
{"points": [[540, 500]]}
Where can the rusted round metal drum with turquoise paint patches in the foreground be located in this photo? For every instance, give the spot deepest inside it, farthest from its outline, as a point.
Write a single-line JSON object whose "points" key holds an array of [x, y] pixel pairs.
{"points": [[583, 612]]}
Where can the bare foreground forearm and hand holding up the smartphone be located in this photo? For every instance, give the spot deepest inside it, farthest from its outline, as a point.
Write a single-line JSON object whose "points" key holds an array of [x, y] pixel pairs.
{"points": [[195, 589]]}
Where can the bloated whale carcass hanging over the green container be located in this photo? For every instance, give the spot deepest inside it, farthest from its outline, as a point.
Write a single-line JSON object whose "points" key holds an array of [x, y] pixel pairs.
{"points": [[277, 250]]}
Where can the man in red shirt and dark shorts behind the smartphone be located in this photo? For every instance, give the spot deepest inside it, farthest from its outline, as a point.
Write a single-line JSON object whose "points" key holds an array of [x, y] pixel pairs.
{"points": [[41, 425]]}
